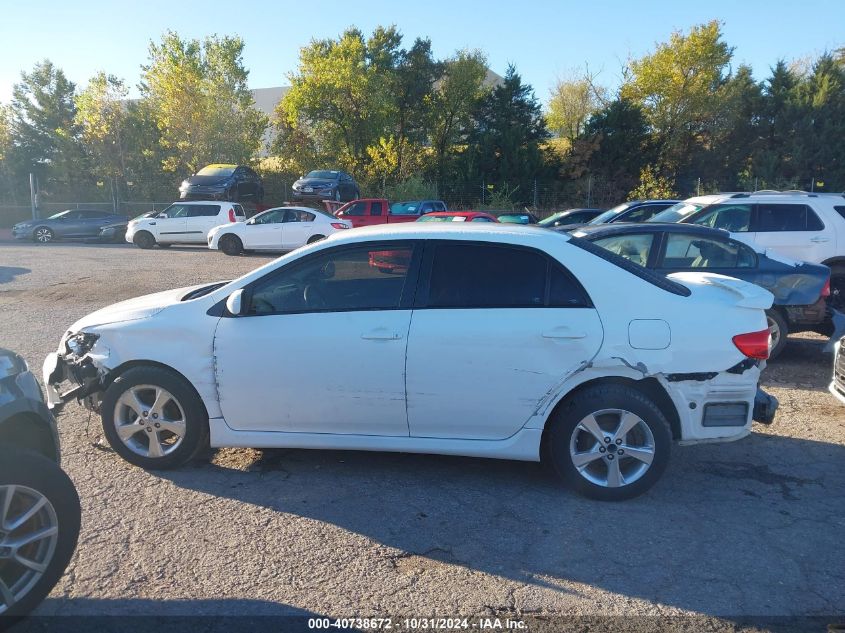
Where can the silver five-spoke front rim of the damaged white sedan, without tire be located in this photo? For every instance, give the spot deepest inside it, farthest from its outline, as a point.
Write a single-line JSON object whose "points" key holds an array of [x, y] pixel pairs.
{"points": [[150, 421]]}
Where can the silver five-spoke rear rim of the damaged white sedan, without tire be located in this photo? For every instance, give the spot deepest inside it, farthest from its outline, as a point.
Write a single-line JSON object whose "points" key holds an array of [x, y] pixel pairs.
{"points": [[612, 448]]}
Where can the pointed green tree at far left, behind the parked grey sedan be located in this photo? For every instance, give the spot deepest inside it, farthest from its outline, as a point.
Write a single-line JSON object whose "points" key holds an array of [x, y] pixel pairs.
{"points": [[43, 127]]}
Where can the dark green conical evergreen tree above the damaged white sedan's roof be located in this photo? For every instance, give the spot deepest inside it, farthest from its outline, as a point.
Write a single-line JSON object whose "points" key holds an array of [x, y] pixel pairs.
{"points": [[509, 130]]}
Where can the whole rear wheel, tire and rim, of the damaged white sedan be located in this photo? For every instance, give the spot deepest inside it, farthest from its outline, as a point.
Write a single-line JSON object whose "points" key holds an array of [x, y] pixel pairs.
{"points": [[610, 442]]}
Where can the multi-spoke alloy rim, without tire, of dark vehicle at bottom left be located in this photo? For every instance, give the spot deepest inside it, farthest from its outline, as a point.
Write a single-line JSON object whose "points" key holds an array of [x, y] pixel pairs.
{"points": [[29, 532]]}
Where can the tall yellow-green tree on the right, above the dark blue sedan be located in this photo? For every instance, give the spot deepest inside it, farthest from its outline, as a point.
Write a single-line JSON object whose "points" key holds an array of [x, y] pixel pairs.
{"points": [[679, 87]]}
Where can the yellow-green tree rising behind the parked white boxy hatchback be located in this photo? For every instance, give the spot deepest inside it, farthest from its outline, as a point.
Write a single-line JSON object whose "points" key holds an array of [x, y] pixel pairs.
{"points": [[197, 93]]}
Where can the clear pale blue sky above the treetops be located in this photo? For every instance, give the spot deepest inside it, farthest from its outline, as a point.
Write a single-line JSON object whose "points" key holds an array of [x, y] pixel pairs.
{"points": [[545, 40]]}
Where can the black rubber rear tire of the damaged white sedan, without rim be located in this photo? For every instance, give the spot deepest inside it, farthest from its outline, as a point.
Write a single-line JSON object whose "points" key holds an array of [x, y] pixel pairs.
{"points": [[562, 435]]}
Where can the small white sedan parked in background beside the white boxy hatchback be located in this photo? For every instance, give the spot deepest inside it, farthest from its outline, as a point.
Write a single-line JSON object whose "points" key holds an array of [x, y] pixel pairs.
{"points": [[278, 229]]}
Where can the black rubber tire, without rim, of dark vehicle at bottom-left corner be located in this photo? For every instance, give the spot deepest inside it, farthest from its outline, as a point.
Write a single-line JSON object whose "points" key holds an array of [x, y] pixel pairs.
{"points": [[21, 468]]}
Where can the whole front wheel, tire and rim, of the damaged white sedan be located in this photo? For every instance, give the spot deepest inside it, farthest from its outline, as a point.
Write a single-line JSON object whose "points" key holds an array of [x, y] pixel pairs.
{"points": [[153, 418]]}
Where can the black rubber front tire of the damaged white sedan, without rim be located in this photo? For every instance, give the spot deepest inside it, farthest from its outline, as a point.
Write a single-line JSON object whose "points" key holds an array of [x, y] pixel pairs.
{"points": [[195, 438]]}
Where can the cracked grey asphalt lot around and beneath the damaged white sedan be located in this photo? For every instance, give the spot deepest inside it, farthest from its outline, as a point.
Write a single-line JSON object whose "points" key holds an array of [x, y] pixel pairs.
{"points": [[753, 527]]}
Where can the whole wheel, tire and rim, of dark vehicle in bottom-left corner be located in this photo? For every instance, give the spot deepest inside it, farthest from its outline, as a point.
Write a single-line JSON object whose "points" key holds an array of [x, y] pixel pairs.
{"points": [[39, 528]]}
